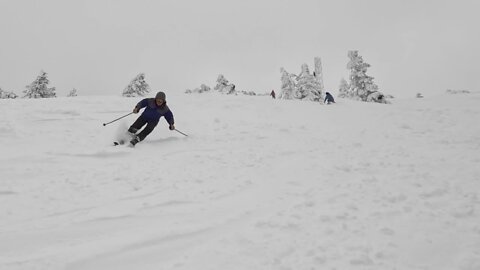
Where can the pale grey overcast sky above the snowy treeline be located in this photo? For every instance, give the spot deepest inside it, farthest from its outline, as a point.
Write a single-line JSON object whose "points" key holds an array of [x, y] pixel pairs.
{"points": [[99, 46]]}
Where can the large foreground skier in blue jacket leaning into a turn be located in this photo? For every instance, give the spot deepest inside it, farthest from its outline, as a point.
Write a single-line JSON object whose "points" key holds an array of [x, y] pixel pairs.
{"points": [[155, 108]]}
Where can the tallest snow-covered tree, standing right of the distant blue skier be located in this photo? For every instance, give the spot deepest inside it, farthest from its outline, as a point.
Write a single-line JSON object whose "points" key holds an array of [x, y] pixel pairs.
{"points": [[361, 85]]}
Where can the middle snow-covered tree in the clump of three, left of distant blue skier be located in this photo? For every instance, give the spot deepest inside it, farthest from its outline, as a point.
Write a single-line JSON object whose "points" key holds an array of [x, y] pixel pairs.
{"points": [[308, 88]]}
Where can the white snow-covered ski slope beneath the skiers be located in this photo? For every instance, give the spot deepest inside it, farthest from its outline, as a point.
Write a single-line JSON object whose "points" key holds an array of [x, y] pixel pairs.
{"points": [[258, 184]]}
